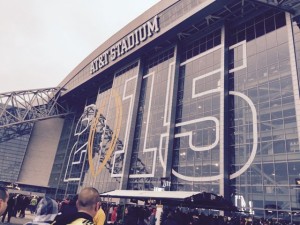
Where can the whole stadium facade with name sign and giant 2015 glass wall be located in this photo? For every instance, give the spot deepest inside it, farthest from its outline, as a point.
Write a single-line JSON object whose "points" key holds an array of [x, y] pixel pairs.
{"points": [[193, 95]]}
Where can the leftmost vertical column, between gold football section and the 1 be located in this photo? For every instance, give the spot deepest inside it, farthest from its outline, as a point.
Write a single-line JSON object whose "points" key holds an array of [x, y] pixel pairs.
{"points": [[124, 178]]}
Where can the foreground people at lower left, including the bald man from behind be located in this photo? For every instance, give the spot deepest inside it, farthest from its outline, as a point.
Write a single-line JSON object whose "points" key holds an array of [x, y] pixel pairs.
{"points": [[83, 210]]}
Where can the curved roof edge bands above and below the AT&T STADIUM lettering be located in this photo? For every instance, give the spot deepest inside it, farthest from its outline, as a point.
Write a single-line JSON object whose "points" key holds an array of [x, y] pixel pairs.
{"points": [[207, 7]]}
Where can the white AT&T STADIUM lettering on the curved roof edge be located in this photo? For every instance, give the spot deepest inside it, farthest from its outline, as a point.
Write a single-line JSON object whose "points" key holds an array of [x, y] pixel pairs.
{"points": [[133, 39]]}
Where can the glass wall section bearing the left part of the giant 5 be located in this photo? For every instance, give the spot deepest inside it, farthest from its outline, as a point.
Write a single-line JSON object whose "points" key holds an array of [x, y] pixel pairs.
{"points": [[197, 132]]}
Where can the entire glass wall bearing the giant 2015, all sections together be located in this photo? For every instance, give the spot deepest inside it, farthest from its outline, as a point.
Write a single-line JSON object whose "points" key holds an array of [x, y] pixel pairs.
{"points": [[263, 145]]}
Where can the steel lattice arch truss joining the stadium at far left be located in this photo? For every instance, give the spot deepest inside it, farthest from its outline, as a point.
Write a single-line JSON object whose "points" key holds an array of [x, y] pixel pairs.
{"points": [[20, 109]]}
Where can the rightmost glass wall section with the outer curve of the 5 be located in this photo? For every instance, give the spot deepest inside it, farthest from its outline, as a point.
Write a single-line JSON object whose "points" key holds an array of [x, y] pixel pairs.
{"points": [[264, 133]]}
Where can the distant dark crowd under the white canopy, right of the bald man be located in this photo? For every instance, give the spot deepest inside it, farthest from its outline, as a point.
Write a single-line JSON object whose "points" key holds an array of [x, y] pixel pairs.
{"points": [[146, 215]]}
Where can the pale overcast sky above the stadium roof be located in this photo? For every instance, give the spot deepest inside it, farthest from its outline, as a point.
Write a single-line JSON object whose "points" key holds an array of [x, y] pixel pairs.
{"points": [[42, 41]]}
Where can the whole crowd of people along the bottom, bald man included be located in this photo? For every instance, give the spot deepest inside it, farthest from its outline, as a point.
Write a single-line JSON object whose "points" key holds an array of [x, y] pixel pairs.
{"points": [[86, 209]]}
